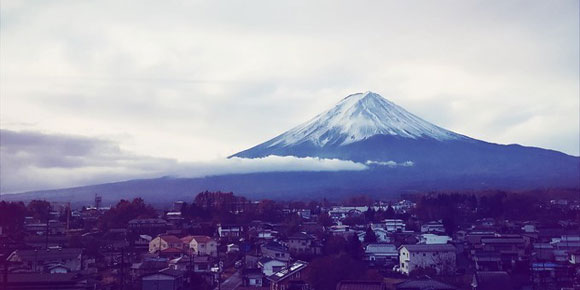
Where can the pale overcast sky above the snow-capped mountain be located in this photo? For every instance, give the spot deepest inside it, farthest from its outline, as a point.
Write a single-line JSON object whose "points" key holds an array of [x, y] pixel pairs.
{"points": [[184, 81]]}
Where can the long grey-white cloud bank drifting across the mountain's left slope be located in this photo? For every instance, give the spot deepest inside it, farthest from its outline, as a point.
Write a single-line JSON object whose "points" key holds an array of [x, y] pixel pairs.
{"points": [[33, 160]]}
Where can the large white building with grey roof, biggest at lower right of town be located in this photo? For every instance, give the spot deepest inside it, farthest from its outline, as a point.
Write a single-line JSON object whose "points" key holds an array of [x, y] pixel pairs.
{"points": [[438, 257]]}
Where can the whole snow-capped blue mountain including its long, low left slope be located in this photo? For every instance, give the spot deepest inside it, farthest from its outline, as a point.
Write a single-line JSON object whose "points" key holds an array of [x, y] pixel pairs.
{"points": [[402, 153]]}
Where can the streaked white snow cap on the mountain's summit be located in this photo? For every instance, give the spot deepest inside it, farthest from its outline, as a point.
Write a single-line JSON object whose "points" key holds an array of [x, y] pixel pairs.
{"points": [[358, 117]]}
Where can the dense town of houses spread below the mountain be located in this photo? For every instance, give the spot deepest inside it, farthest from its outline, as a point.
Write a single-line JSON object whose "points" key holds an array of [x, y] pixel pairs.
{"points": [[168, 251]]}
